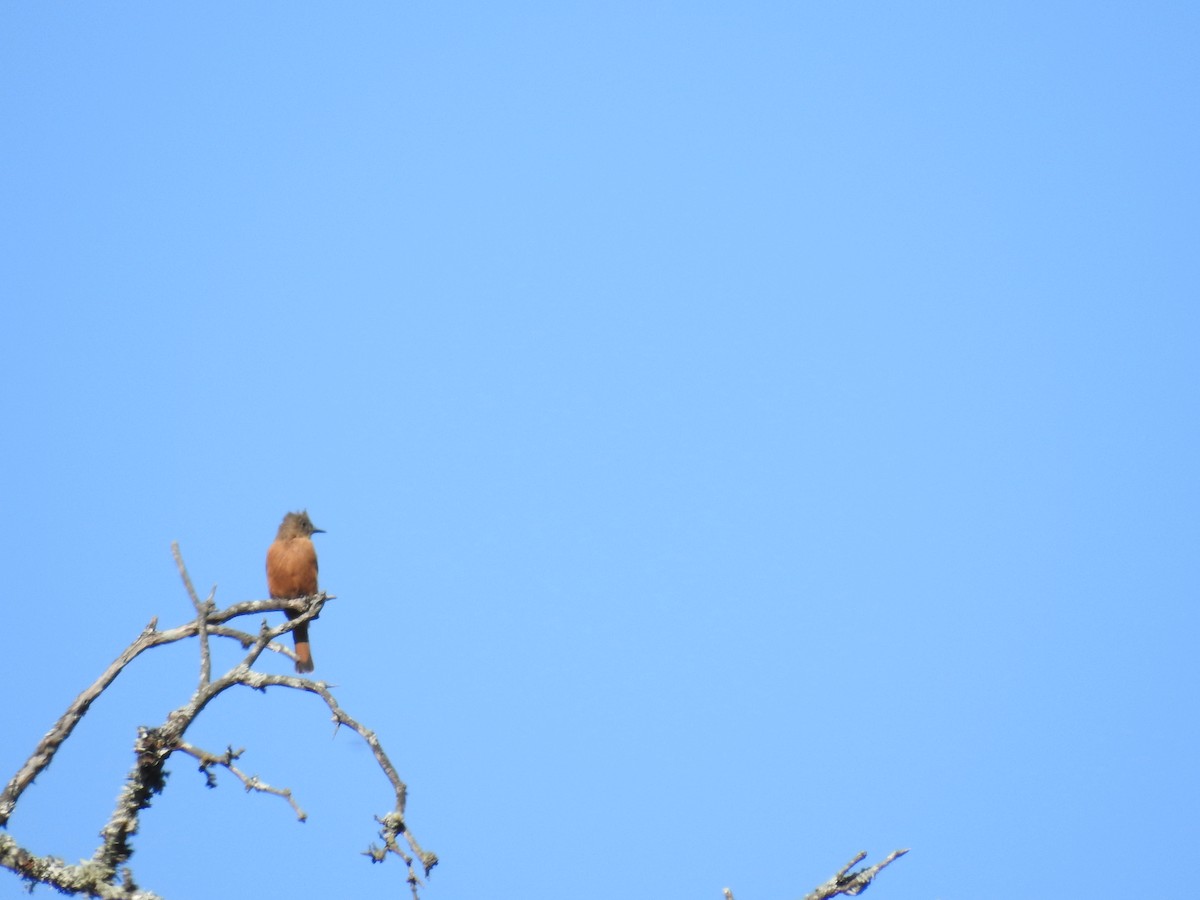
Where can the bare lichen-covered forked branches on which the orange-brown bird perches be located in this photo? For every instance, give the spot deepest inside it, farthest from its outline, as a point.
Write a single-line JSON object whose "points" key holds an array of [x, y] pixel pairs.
{"points": [[103, 877]]}
